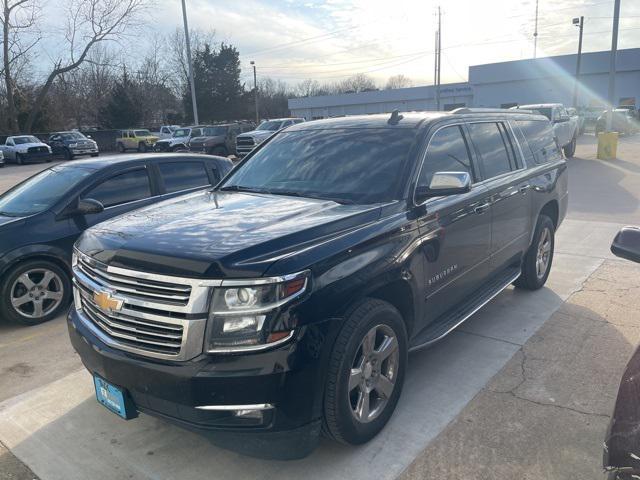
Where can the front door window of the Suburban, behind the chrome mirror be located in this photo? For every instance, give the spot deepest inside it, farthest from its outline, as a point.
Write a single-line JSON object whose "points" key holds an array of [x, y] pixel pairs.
{"points": [[447, 152]]}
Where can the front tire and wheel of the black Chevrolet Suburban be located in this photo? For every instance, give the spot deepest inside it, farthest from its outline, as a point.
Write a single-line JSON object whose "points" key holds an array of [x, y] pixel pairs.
{"points": [[341, 404]]}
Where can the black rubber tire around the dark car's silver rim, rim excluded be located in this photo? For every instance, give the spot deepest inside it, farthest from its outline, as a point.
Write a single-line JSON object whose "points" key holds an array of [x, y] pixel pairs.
{"points": [[6, 309]]}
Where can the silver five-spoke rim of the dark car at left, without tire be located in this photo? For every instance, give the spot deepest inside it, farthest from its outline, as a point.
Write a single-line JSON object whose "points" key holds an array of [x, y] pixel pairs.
{"points": [[36, 293]]}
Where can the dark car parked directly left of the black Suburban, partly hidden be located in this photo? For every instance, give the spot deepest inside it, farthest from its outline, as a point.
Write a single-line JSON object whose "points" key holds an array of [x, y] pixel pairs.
{"points": [[41, 217]]}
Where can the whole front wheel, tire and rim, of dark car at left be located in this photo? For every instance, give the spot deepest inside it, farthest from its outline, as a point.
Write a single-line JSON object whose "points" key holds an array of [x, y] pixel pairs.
{"points": [[15, 287]]}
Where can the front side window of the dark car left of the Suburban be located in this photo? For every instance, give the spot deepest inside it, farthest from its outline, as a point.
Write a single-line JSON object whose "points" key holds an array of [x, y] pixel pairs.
{"points": [[122, 188]]}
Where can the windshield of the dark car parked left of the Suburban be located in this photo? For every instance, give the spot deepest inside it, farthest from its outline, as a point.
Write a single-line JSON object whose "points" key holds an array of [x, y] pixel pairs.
{"points": [[41, 191]]}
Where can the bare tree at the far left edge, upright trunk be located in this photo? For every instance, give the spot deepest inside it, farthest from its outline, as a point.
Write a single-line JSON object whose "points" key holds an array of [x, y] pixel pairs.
{"points": [[18, 19]]}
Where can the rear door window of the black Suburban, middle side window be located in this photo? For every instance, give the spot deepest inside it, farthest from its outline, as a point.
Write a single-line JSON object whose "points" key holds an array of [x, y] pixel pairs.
{"points": [[489, 141]]}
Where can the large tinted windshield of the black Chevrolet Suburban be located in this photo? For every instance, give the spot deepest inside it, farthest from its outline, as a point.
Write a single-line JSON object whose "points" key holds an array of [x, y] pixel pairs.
{"points": [[348, 166]]}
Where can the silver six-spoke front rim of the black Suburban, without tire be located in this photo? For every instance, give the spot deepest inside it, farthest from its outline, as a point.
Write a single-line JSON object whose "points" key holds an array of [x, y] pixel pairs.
{"points": [[374, 370]]}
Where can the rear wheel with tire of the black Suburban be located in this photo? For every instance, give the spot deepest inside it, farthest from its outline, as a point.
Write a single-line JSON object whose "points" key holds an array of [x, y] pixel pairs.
{"points": [[532, 278]]}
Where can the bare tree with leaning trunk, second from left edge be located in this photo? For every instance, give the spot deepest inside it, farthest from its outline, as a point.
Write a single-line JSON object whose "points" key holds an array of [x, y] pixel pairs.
{"points": [[89, 23]]}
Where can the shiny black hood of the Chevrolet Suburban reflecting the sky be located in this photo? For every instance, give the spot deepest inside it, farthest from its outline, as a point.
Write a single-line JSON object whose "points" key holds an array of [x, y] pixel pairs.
{"points": [[220, 234]]}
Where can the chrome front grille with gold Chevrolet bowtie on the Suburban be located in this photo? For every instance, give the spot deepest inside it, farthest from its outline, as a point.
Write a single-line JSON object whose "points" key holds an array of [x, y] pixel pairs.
{"points": [[147, 314]]}
